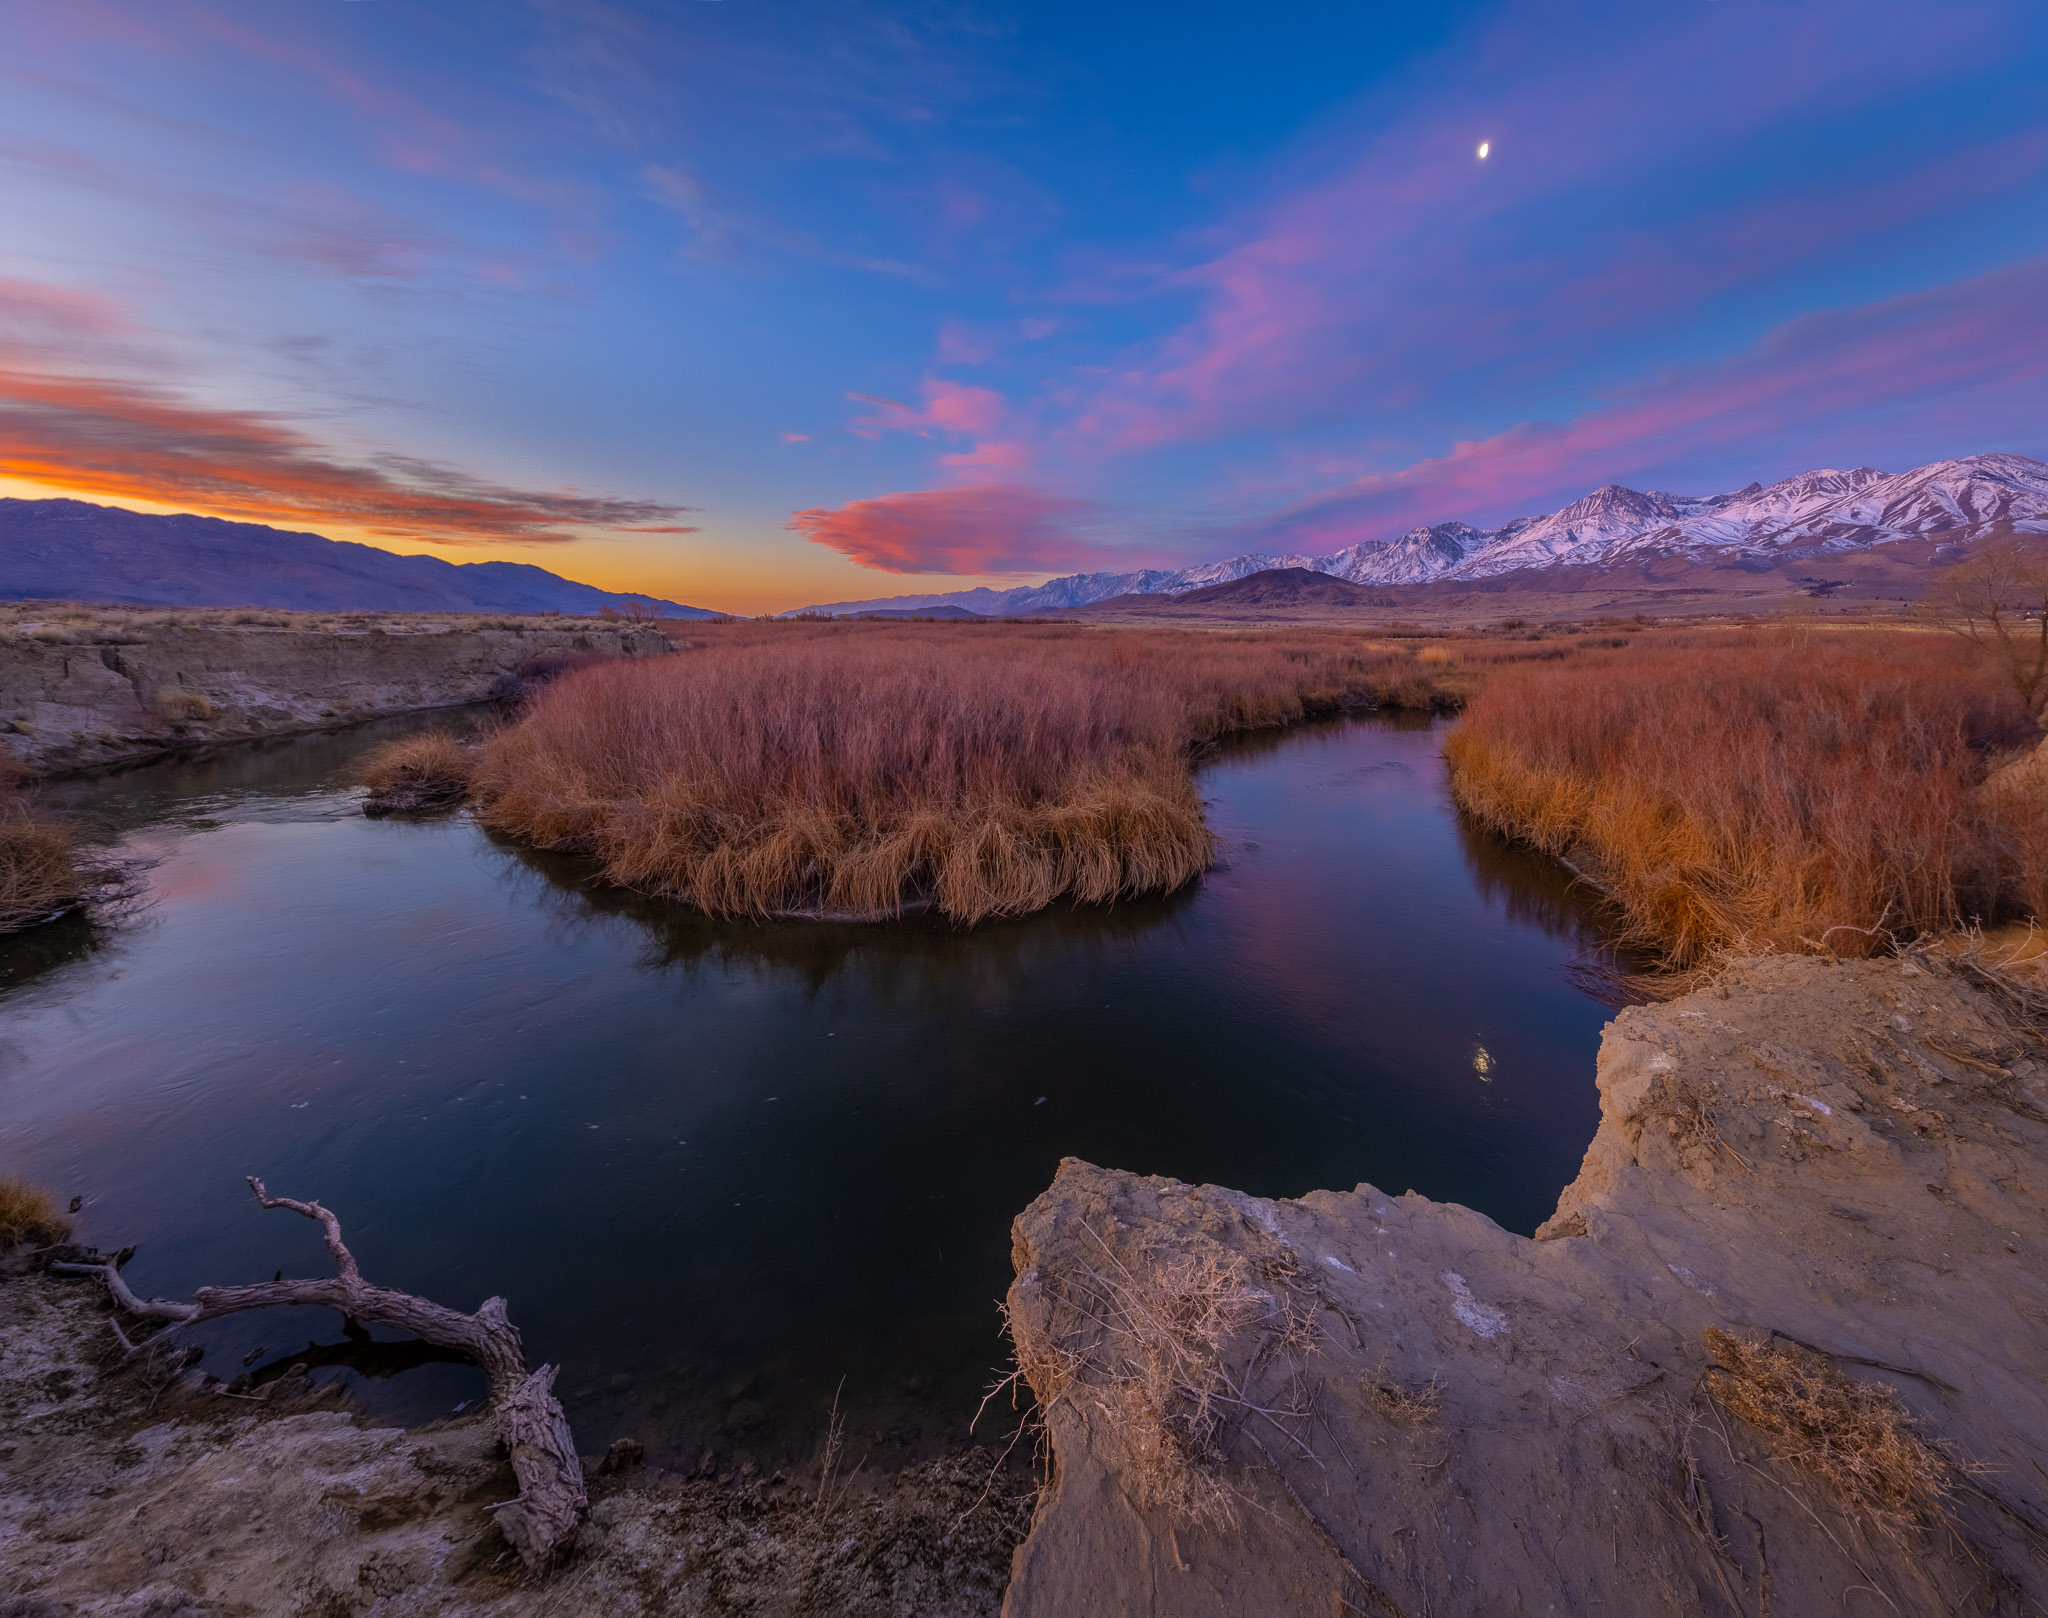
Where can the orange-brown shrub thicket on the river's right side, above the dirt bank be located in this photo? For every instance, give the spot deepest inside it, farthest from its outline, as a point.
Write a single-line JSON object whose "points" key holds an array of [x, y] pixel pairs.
{"points": [[1775, 790]]}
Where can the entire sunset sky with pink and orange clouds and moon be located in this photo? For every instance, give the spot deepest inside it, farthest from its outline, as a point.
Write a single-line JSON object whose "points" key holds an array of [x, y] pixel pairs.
{"points": [[753, 304]]}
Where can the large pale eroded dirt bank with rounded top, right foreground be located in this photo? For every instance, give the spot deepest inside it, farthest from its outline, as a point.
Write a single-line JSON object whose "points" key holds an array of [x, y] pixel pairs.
{"points": [[1379, 1404]]}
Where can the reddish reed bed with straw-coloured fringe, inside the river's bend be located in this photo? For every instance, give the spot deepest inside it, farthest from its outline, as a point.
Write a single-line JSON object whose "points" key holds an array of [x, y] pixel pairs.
{"points": [[859, 769]]}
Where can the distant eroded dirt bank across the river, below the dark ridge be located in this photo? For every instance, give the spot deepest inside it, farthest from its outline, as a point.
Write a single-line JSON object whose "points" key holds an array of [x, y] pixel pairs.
{"points": [[79, 706]]}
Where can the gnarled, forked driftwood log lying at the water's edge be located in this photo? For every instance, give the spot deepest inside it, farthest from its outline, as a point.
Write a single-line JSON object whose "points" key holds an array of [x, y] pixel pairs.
{"points": [[552, 1500]]}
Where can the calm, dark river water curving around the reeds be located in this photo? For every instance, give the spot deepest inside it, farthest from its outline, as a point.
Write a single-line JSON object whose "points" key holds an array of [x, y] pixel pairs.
{"points": [[724, 1173]]}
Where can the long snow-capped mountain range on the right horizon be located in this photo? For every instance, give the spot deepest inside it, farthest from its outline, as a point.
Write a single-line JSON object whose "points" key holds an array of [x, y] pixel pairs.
{"points": [[1818, 513]]}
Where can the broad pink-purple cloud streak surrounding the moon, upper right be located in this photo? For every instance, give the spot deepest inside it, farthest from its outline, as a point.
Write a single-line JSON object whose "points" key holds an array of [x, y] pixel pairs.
{"points": [[1406, 265]]}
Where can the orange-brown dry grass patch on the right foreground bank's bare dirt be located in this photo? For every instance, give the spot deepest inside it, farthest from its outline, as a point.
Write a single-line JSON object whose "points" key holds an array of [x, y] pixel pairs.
{"points": [[1852, 1437]]}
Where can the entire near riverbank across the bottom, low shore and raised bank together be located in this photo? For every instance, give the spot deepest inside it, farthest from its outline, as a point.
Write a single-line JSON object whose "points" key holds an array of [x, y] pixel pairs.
{"points": [[1349, 1402]]}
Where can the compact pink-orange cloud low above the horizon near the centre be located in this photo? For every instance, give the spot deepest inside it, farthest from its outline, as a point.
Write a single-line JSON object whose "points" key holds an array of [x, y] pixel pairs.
{"points": [[990, 529]]}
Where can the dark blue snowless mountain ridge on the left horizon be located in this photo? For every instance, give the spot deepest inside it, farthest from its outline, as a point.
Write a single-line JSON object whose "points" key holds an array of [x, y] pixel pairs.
{"points": [[73, 550]]}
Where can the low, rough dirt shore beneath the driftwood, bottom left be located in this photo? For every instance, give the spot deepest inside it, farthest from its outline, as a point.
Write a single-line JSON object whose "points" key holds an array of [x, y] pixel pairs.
{"points": [[130, 1494]]}
